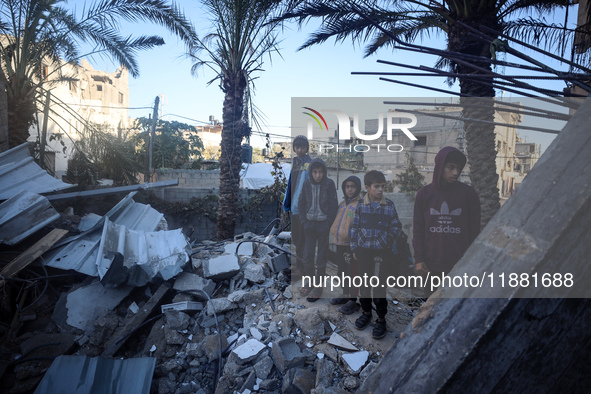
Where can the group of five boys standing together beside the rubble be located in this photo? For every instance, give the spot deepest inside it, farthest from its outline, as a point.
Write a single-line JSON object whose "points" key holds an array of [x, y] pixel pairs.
{"points": [[368, 233]]}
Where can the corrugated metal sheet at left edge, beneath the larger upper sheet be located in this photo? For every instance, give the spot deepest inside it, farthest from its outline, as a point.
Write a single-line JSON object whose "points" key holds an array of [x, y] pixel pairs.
{"points": [[24, 214]]}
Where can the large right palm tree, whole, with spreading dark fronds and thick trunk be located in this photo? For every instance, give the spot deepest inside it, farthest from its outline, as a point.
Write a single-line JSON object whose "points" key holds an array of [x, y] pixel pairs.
{"points": [[388, 23]]}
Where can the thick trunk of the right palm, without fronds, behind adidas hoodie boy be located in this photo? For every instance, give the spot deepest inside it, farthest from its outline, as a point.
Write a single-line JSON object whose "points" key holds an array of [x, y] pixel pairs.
{"points": [[480, 137]]}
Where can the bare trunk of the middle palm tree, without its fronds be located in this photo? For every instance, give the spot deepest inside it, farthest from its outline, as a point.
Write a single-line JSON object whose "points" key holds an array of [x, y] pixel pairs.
{"points": [[231, 159]]}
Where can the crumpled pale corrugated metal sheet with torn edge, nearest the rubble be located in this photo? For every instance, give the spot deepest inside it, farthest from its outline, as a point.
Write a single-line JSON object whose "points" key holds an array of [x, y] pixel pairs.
{"points": [[145, 254]]}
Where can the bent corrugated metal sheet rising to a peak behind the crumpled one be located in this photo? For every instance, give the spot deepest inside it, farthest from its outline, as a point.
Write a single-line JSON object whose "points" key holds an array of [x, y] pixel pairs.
{"points": [[80, 253]]}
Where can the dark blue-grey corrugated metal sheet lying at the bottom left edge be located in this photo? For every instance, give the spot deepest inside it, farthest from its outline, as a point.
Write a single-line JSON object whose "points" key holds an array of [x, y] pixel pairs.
{"points": [[97, 375]]}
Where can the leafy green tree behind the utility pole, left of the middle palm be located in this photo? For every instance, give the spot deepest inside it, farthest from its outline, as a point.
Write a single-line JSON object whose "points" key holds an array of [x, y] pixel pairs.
{"points": [[176, 144]]}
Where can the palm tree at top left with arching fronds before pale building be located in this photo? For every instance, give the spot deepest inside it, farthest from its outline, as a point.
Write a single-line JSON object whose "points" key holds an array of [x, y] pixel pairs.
{"points": [[38, 38]]}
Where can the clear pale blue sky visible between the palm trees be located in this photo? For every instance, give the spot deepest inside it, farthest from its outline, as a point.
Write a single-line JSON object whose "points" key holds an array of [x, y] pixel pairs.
{"points": [[320, 71]]}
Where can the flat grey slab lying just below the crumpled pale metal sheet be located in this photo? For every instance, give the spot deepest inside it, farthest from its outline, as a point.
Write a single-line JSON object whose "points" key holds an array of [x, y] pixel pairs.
{"points": [[85, 305]]}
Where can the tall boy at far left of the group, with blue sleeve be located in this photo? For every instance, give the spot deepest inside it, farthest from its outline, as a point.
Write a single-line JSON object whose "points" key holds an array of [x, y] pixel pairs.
{"points": [[297, 177]]}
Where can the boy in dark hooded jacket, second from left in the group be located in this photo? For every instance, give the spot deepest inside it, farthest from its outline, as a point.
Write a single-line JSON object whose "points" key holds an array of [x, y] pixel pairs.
{"points": [[317, 207]]}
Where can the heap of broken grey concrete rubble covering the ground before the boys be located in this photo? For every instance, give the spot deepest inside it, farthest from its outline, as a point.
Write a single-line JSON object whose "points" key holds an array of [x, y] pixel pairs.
{"points": [[228, 323]]}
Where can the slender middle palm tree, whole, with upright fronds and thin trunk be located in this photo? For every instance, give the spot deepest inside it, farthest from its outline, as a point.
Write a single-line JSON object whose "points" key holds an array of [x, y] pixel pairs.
{"points": [[234, 50]]}
